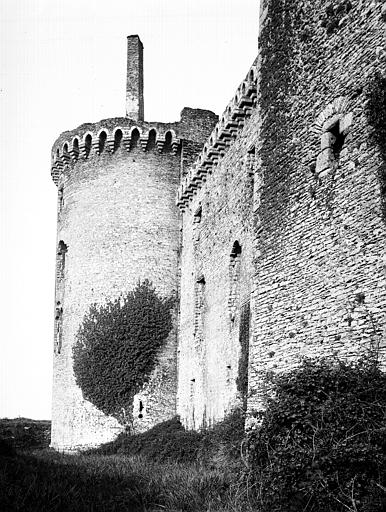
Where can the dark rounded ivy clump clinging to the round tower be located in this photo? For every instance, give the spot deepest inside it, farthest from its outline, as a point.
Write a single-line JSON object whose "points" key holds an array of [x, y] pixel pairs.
{"points": [[117, 347]]}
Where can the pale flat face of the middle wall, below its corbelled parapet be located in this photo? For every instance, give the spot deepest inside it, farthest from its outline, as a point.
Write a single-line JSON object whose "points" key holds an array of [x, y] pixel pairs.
{"points": [[209, 360]]}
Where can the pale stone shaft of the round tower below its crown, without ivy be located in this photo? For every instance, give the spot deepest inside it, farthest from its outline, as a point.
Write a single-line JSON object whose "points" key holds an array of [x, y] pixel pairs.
{"points": [[115, 237]]}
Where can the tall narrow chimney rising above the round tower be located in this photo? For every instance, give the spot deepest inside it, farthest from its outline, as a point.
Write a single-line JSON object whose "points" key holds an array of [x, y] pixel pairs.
{"points": [[134, 79]]}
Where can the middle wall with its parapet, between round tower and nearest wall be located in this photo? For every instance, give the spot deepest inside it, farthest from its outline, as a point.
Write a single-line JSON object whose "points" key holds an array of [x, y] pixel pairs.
{"points": [[216, 267]]}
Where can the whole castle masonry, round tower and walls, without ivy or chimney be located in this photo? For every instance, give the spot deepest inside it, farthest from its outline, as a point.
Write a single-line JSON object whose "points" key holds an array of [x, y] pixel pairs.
{"points": [[279, 249]]}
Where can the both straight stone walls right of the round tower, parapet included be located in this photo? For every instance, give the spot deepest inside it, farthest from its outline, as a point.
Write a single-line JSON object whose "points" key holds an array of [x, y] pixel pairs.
{"points": [[314, 236]]}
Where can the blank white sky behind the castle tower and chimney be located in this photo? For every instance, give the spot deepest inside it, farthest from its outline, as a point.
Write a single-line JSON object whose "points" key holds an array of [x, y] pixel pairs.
{"points": [[63, 63]]}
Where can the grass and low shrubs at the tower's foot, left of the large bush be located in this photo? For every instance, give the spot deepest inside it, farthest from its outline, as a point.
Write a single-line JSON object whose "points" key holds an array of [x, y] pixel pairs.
{"points": [[193, 473]]}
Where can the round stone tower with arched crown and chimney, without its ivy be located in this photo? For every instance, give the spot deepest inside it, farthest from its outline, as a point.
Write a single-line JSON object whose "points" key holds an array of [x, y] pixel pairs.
{"points": [[117, 224]]}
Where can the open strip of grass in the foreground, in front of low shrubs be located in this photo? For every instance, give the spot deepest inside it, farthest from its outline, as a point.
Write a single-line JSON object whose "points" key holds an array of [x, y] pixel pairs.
{"points": [[47, 481]]}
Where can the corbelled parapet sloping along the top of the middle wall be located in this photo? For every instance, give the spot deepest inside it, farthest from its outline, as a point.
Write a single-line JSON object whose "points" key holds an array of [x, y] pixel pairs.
{"points": [[226, 130]]}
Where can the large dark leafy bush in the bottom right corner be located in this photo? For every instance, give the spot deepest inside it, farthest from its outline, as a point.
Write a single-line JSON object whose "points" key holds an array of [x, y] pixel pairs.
{"points": [[321, 446]]}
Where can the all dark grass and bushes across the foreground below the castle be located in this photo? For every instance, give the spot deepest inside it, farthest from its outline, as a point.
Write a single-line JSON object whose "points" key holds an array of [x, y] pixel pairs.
{"points": [[320, 447]]}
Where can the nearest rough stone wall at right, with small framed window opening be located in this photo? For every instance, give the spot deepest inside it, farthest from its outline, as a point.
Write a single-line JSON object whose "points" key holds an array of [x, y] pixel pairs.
{"points": [[320, 282]]}
